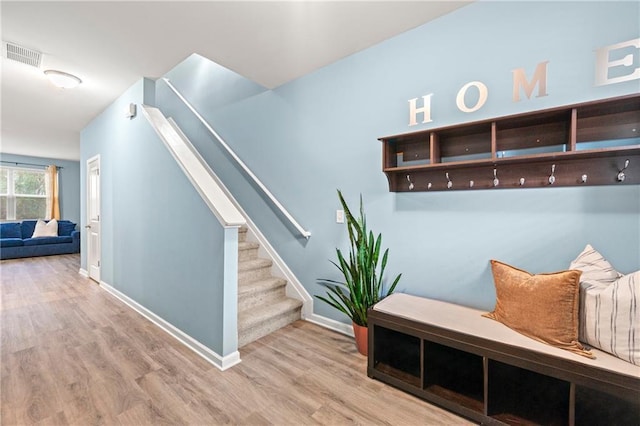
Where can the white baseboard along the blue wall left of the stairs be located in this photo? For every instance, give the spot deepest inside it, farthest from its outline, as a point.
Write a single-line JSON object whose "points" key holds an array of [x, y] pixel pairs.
{"points": [[221, 362]]}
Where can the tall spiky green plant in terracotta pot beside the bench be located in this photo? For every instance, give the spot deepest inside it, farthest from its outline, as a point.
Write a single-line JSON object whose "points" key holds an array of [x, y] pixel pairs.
{"points": [[362, 271]]}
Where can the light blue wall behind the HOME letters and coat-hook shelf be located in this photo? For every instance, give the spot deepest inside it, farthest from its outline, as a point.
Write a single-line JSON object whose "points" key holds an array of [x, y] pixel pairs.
{"points": [[307, 138]]}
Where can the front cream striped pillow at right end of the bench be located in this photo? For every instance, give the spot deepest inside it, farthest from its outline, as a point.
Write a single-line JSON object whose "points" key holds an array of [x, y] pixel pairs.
{"points": [[610, 318]]}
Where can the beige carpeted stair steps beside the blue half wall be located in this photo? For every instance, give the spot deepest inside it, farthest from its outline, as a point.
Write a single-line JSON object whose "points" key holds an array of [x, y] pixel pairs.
{"points": [[263, 306]]}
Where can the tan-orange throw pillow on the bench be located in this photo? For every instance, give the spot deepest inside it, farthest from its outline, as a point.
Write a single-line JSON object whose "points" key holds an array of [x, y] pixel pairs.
{"points": [[542, 306]]}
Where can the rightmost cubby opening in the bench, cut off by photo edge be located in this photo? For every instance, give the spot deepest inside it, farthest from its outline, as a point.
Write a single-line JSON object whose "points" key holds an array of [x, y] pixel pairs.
{"points": [[595, 407]]}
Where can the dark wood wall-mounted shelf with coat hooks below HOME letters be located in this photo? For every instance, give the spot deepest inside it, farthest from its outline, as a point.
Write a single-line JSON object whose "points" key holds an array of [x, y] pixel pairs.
{"points": [[594, 143]]}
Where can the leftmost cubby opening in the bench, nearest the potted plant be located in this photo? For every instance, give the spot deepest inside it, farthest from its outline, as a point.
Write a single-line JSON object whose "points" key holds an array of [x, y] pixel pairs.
{"points": [[397, 354]]}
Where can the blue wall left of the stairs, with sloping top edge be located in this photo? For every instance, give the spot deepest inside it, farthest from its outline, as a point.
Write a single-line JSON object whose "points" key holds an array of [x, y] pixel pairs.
{"points": [[161, 245]]}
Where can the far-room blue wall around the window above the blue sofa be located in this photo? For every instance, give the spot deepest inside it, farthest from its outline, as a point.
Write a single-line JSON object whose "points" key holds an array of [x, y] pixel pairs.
{"points": [[68, 180]]}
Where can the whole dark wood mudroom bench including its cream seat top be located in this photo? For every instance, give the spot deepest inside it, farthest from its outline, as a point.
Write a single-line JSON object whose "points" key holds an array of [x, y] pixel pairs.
{"points": [[480, 369]]}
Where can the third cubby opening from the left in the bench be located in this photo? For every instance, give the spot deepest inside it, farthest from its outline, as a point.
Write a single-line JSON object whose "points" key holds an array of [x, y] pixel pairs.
{"points": [[519, 396]]}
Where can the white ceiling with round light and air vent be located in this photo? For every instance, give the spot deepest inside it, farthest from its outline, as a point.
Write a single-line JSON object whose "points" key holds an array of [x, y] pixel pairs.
{"points": [[111, 45]]}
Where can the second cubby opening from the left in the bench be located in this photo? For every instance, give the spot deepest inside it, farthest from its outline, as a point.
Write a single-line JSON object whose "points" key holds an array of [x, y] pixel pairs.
{"points": [[454, 375]]}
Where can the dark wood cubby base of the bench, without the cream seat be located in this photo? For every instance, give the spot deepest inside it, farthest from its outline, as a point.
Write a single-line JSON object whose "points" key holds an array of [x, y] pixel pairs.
{"points": [[494, 383]]}
